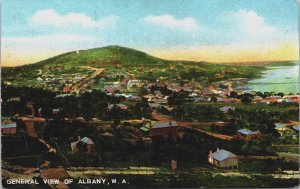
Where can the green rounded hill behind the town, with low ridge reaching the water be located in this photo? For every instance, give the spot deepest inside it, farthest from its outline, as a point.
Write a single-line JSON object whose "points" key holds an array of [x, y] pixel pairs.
{"points": [[121, 60]]}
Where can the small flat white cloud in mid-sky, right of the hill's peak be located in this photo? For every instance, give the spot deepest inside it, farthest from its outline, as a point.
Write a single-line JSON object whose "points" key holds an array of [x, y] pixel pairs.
{"points": [[187, 24]]}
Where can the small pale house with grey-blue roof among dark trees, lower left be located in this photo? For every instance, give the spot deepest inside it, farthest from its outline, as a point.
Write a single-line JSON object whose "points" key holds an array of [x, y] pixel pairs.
{"points": [[83, 145]]}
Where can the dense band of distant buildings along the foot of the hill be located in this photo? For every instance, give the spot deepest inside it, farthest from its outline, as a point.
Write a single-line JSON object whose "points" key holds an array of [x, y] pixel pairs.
{"points": [[220, 92]]}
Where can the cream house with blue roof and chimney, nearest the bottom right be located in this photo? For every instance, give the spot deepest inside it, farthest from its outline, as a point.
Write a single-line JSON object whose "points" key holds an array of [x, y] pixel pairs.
{"points": [[223, 159]]}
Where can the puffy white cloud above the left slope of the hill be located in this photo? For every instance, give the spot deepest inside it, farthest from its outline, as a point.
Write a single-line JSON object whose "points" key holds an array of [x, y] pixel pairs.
{"points": [[52, 18]]}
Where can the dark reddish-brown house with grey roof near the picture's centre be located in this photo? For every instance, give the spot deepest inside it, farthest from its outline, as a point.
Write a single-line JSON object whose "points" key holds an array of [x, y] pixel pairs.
{"points": [[164, 129]]}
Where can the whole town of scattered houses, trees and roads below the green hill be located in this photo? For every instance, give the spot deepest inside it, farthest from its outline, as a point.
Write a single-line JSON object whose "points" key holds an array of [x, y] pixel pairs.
{"points": [[93, 122]]}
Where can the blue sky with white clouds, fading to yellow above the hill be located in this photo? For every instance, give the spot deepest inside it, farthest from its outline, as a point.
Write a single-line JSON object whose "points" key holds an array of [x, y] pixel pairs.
{"points": [[212, 30]]}
